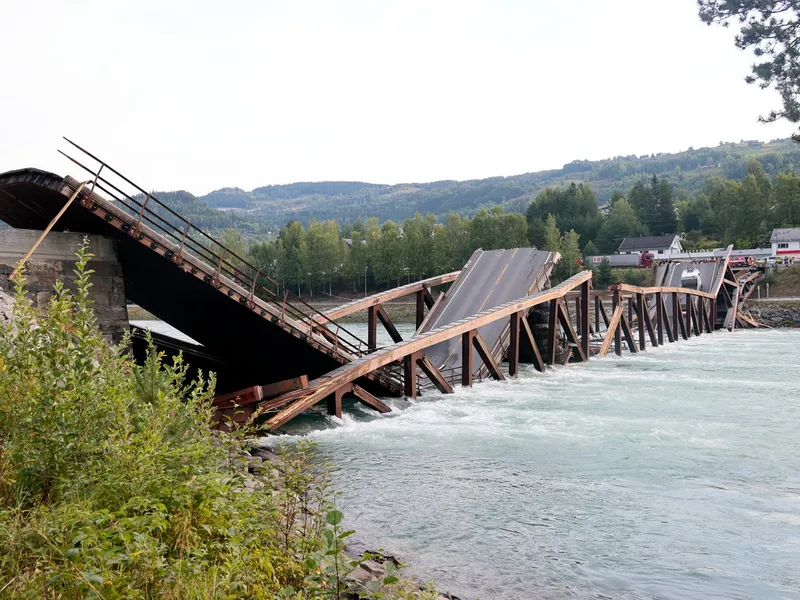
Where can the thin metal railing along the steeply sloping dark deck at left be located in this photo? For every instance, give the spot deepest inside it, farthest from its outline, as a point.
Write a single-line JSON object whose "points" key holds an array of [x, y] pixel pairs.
{"points": [[189, 239]]}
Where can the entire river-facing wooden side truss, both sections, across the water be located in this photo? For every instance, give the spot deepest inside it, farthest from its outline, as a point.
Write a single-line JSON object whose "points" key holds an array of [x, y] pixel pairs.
{"points": [[622, 317]]}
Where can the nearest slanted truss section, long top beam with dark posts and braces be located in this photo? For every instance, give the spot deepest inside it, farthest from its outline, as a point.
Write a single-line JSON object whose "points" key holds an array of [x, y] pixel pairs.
{"points": [[410, 354]]}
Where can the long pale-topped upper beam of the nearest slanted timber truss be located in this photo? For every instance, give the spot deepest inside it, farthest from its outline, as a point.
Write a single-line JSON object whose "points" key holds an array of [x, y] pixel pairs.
{"points": [[366, 364]]}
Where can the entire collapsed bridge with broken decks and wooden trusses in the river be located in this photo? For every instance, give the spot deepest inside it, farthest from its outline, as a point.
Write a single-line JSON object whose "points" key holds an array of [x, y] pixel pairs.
{"points": [[278, 356]]}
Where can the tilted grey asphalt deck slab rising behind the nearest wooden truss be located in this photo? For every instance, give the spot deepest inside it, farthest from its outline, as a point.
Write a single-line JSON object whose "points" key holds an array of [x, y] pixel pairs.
{"points": [[489, 279]]}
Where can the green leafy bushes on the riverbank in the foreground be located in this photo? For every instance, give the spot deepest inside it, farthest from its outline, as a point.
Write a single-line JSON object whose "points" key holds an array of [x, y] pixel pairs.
{"points": [[111, 485]]}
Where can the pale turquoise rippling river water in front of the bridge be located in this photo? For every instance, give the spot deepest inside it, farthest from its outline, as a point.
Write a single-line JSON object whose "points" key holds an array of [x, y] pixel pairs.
{"points": [[671, 474]]}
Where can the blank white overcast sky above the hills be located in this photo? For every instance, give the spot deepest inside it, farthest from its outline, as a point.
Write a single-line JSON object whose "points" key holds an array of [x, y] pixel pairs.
{"points": [[199, 95]]}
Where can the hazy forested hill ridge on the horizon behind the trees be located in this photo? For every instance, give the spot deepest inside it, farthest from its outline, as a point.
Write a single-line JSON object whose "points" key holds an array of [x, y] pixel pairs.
{"points": [[271, 207]]}
